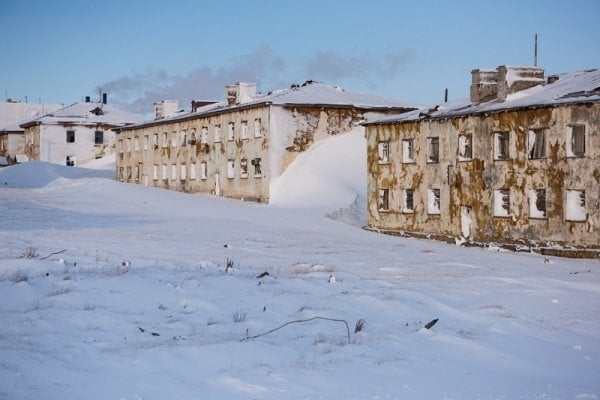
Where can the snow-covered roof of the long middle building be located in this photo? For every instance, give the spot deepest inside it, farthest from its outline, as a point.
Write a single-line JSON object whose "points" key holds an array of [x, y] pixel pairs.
{"points": [[308, 94]]}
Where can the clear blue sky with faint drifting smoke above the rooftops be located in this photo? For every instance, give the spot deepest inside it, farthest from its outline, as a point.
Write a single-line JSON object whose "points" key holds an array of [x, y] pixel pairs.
{"points": [[144, 51]]}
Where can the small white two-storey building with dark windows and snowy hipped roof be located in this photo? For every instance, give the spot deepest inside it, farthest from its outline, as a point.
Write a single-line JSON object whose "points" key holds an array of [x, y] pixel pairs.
{"points": [[76, 134]]}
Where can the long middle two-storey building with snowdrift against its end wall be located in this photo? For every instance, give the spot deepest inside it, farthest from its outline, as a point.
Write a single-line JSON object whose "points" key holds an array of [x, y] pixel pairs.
{"points": [[237, 147]]}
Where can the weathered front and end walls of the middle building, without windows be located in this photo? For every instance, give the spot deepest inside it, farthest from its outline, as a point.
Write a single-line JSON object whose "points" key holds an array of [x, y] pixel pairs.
{"points": [[285, 132]]}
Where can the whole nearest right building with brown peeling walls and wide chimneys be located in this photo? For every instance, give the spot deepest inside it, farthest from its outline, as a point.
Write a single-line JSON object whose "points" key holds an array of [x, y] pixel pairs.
{"points": [[517, 164]]}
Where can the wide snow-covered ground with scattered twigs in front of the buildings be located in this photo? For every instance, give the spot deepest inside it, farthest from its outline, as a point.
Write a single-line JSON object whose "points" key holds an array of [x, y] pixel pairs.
{"points": [[141, 303]]}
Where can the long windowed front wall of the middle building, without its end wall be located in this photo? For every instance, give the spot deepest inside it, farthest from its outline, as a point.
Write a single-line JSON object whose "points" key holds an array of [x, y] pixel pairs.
{"points": [[177, 165]]}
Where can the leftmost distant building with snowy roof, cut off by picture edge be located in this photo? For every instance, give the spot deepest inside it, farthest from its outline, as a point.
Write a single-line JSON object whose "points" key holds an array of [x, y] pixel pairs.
{"points": [[12, 138]]}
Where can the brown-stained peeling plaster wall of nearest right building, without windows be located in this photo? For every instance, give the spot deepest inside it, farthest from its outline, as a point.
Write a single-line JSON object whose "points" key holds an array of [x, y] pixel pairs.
{"points": [[471, 183]]}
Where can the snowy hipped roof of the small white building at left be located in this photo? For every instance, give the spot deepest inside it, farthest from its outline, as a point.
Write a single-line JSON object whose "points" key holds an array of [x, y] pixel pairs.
{"points": [[84, 113]]}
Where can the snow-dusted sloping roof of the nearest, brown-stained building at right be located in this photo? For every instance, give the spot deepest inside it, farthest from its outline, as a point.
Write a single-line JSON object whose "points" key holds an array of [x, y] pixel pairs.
{"points": [[570, 88]]}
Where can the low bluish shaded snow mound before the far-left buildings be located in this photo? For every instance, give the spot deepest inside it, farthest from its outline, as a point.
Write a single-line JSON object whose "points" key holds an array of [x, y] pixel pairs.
{"points": [[37, 174]]}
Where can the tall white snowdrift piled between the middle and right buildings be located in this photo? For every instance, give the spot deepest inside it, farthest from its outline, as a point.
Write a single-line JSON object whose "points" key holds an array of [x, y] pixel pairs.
{"points": [[331, 174]]}
